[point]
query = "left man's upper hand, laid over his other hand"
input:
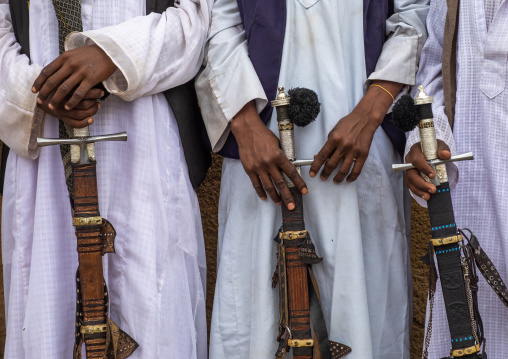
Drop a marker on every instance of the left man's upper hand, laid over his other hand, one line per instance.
(71, 75)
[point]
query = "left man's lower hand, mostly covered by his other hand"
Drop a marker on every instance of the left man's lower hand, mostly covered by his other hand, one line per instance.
(81, 115)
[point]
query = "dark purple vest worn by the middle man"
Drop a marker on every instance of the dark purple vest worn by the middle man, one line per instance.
(265, 25)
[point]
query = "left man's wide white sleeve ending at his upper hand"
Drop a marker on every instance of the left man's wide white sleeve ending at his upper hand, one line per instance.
(154, 52)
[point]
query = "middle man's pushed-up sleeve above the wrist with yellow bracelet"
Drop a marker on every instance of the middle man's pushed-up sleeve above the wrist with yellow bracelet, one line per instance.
(407, 34)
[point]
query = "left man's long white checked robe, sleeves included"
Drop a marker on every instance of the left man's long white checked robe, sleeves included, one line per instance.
(156, 278)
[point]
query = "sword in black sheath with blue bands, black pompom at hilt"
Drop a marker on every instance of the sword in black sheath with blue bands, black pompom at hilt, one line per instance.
(455, 257)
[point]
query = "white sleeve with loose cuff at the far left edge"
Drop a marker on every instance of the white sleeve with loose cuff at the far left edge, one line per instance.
(21, 122)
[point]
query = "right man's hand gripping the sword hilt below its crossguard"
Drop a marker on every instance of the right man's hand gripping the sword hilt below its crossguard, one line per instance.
(414, 180)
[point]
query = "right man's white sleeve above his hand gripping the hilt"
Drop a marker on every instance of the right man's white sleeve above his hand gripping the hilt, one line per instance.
(430, 77)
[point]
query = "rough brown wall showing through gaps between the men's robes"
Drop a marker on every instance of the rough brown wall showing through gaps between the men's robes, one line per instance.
(208, 199)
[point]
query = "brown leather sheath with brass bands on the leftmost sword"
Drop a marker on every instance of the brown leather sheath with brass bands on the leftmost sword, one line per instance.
(88, 224)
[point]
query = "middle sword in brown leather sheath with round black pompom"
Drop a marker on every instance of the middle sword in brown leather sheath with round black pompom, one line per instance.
(299, 303)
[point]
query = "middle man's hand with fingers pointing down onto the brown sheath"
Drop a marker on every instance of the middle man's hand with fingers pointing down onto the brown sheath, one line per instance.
(262, 158)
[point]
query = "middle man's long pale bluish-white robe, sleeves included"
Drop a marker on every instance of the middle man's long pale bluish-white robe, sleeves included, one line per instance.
(359, 228)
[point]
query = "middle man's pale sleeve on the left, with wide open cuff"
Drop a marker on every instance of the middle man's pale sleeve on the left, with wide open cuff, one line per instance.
(228, 80)
